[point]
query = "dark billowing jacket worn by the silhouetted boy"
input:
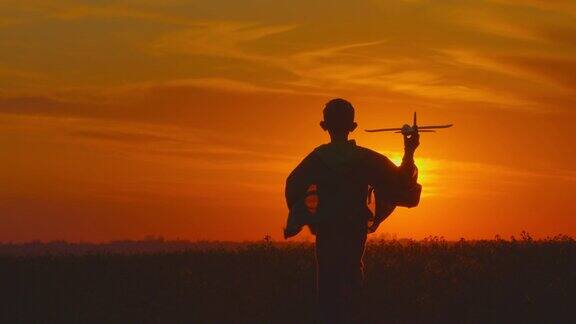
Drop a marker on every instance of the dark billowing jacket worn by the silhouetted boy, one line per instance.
(344, 175)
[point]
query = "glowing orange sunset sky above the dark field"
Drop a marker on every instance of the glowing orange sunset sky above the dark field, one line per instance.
(121, 119)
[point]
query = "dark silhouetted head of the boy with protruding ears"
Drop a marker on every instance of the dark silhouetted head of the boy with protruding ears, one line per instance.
(338, 117)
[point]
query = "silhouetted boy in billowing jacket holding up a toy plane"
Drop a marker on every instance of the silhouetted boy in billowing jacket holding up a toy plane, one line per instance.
(328, 191)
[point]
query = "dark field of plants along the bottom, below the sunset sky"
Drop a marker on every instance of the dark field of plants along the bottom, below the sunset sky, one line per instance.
(432, 281)
